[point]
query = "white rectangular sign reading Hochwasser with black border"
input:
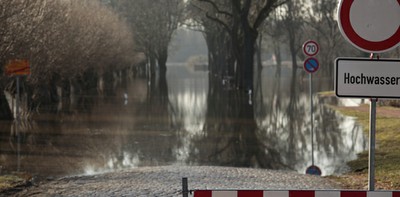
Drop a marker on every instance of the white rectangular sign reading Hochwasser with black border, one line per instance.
(366, 78)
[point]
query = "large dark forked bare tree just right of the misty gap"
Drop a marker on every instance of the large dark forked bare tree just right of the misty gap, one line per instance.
(241, 20)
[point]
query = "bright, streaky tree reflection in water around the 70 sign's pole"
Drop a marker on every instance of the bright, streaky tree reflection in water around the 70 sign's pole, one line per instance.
(285, 125)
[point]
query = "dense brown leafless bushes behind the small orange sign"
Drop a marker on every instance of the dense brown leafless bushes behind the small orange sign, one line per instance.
(68, 43)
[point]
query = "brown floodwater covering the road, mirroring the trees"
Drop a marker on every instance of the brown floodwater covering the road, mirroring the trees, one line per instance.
(187, 121)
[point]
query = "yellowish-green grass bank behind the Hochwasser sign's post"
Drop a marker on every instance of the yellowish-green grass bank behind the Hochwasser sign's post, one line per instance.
(387, 157)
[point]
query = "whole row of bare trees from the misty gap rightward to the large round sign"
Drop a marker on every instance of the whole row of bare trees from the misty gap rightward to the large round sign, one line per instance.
(231, 29)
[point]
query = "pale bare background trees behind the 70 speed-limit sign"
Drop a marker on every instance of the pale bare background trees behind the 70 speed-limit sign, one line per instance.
(301, 20)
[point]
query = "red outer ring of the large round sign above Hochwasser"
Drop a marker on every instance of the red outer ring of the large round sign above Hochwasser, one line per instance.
(349, 32)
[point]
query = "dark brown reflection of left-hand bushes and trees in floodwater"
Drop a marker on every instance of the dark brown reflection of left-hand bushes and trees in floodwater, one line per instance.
(108, 134)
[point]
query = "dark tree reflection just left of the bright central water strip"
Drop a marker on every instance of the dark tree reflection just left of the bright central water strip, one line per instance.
(151, 136)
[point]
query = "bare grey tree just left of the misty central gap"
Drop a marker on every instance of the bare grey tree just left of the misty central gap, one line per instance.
(153, 24)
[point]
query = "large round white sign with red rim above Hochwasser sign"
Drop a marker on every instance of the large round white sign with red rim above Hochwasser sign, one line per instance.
(371, 26)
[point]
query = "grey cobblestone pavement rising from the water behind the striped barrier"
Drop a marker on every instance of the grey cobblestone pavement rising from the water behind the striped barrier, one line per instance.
(167, 181)
